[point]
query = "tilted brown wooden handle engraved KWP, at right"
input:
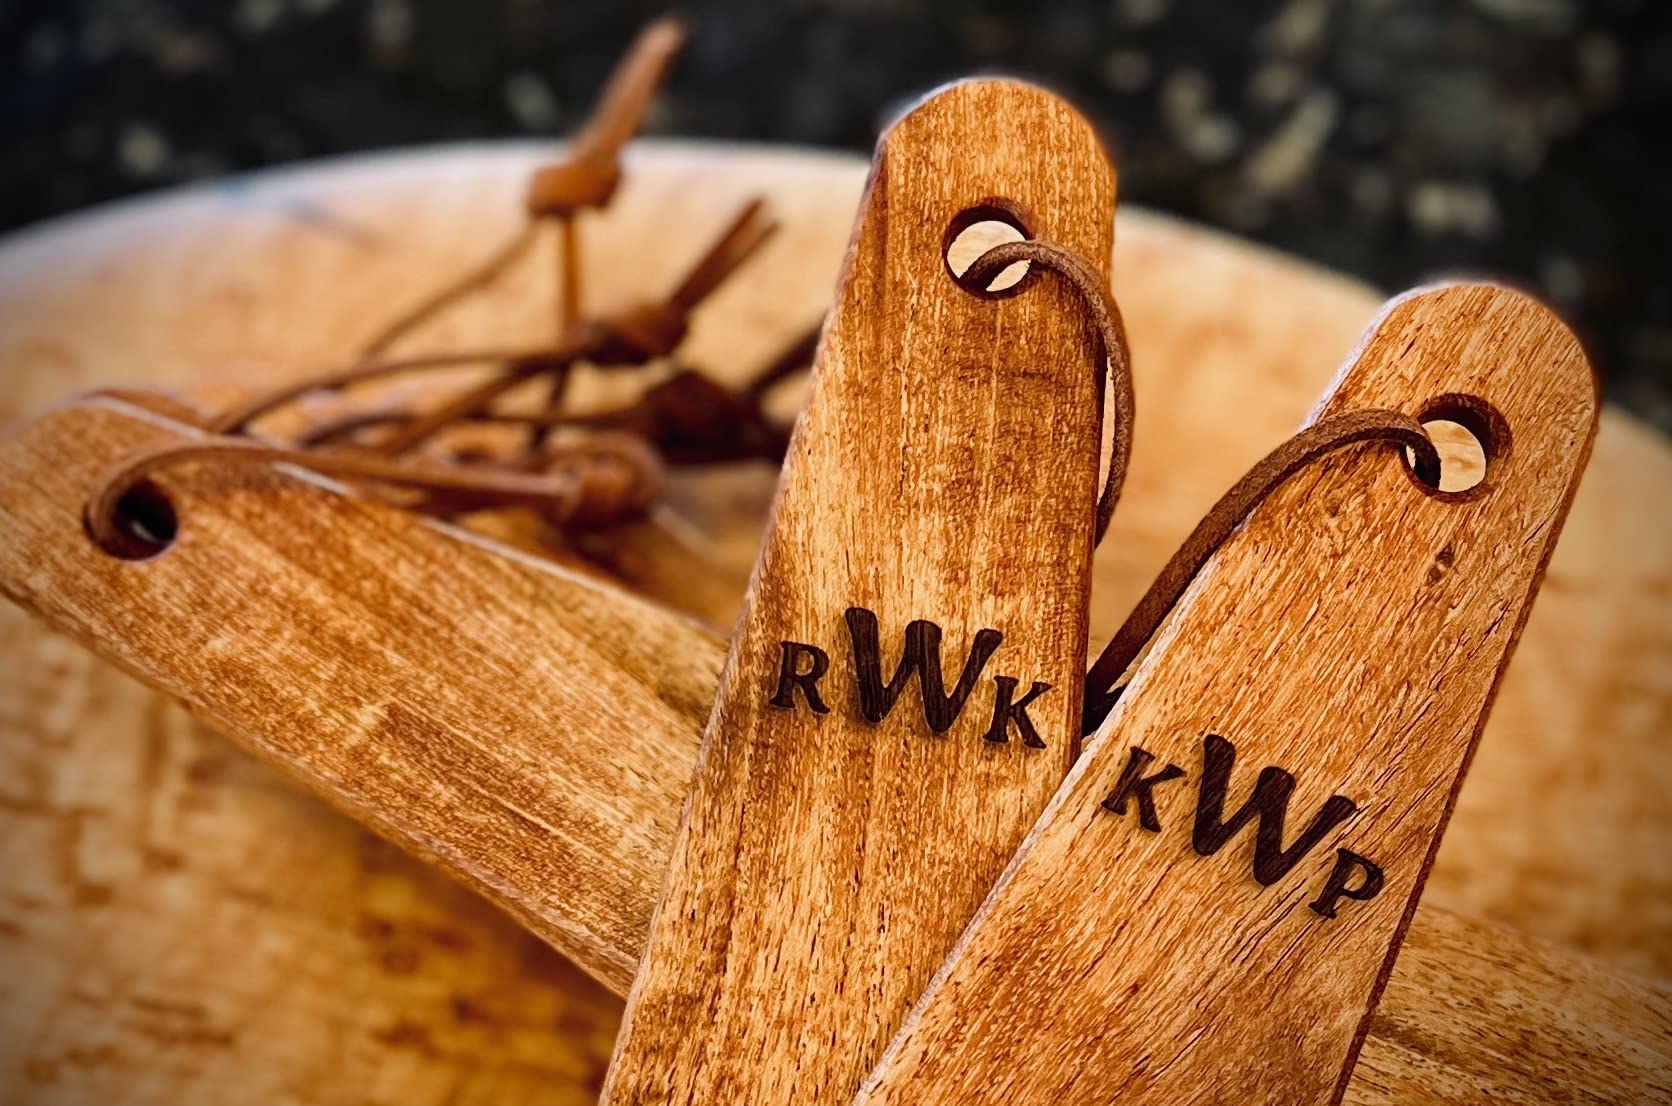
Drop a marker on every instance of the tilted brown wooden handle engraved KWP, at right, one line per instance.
(1348, 638)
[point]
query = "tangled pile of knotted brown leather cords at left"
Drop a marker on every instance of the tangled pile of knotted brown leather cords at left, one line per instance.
(603, 478)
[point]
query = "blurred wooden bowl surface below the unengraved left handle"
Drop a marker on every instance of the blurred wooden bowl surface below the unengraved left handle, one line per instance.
(180, 926)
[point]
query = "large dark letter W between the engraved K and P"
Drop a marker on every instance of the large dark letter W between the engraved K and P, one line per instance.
(1270, 804)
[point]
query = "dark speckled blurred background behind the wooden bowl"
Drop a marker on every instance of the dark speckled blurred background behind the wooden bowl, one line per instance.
(1397, 140)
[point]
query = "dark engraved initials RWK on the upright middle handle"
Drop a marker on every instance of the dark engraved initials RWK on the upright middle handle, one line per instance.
(802, 668)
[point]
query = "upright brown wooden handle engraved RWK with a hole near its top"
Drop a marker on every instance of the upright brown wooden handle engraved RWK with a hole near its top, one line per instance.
(942, 479)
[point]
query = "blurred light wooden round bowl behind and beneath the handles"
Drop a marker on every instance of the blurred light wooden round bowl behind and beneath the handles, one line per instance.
(175, 921)
